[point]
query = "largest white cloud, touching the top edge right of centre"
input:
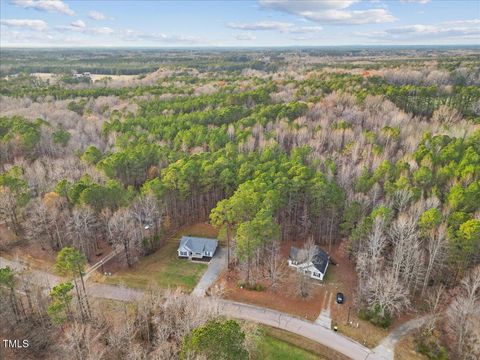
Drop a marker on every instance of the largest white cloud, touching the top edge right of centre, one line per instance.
(330, 11)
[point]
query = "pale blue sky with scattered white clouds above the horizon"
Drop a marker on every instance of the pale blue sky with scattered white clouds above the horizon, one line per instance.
(45, 23)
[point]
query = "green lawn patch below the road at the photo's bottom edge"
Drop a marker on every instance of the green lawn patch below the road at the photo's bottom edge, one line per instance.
(275, 349)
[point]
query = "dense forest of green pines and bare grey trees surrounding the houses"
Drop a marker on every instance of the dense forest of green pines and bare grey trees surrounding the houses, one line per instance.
(268, 147)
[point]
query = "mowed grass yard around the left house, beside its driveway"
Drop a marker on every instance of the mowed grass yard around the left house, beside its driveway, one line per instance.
(164, 269)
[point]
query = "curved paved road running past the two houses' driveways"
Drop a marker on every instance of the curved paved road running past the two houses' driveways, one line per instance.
(315, 332)
